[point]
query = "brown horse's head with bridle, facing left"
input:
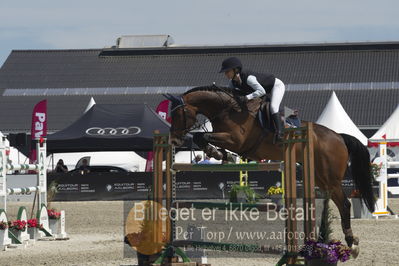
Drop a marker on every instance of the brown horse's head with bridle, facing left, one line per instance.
(183, 118)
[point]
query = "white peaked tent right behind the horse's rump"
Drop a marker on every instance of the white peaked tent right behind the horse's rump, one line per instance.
(334, 117)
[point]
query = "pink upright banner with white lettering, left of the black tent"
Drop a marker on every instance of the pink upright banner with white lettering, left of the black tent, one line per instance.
(39, 126)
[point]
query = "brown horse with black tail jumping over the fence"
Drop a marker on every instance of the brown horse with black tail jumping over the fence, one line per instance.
(235, 129)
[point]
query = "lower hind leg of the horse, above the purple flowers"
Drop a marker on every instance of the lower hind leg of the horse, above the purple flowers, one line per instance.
(344, 207)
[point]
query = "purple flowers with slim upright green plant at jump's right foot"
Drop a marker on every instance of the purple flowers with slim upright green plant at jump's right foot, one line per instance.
(324, 251)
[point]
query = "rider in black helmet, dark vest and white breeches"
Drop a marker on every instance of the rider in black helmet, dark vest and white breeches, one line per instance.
(256, 85)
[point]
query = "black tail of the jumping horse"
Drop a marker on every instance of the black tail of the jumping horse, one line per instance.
(361, 169)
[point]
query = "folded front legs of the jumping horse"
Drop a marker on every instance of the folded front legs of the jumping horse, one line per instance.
(203, 139)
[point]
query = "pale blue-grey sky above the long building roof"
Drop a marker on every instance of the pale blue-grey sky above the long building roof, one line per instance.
(50, 24)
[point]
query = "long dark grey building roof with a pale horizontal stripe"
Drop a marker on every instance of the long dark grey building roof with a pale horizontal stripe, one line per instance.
(364, 76)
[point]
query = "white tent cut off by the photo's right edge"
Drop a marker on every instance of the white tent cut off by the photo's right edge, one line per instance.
(389, 130)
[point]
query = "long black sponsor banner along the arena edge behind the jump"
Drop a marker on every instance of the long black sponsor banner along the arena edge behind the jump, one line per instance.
(137, 185)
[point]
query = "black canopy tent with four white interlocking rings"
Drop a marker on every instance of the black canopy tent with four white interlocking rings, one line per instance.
(109, 127)
